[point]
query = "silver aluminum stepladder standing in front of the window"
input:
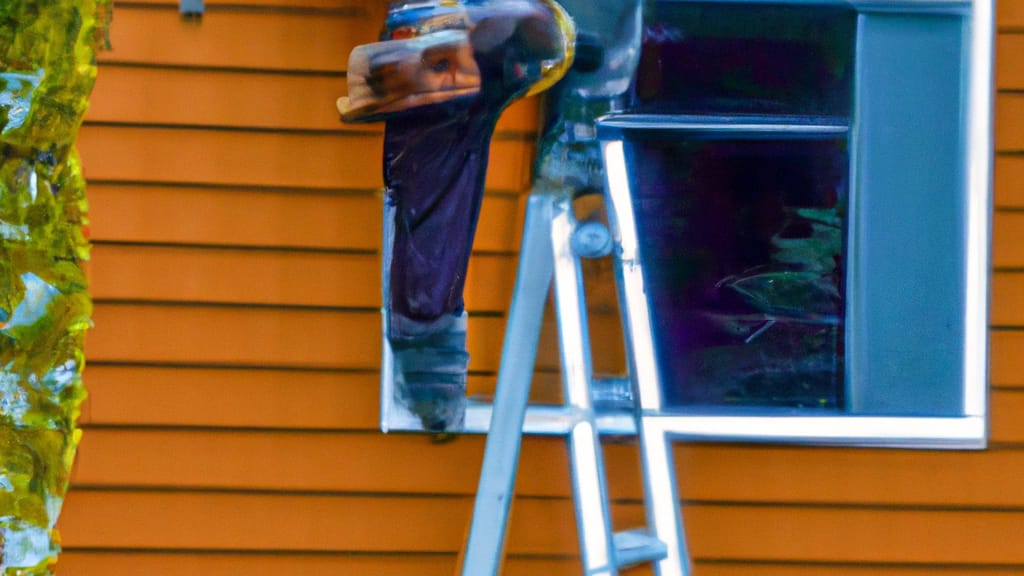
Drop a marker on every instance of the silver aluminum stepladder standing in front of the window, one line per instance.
(552, 248)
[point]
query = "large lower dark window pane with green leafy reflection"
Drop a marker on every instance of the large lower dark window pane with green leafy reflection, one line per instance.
(743, 244)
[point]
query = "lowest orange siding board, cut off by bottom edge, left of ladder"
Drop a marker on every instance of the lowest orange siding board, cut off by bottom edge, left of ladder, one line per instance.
(100, 563)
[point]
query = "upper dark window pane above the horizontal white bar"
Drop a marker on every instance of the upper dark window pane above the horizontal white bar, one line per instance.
(747, 59)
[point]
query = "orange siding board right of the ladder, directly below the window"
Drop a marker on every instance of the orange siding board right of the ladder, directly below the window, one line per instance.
(835, 478)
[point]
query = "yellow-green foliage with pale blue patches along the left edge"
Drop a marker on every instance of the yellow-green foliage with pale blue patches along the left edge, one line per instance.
(49, 53)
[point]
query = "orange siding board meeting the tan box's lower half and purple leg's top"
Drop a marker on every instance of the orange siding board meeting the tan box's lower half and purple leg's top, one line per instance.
(261, 100)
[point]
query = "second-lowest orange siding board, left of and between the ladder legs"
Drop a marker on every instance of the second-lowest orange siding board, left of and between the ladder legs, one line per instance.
(303, 523)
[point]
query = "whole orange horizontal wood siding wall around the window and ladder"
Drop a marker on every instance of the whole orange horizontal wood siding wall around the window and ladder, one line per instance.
(232, 427)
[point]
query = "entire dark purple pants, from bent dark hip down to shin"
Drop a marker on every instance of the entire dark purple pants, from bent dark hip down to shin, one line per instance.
(436, 160)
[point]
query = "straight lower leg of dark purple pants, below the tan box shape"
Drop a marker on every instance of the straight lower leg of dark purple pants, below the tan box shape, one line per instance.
(436, 163)
